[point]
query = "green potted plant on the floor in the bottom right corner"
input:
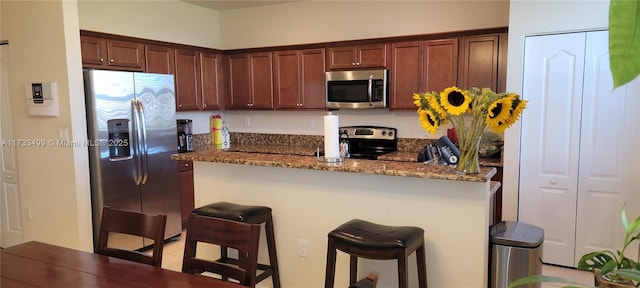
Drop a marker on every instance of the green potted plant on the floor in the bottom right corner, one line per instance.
(612, 269)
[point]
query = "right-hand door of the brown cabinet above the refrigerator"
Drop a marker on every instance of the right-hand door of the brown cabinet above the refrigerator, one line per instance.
(126, 55)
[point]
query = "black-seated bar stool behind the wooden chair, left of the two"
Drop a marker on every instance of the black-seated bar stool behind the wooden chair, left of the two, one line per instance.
(251, 215)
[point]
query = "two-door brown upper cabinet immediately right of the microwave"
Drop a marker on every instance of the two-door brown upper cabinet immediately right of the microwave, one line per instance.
(421, 66)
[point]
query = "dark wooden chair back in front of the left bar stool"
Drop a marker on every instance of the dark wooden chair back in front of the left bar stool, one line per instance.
(234, 234)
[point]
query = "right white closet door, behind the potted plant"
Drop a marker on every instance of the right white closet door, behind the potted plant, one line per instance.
(609, 157)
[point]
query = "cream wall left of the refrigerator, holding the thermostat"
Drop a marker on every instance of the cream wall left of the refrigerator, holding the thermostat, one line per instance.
(53, 180)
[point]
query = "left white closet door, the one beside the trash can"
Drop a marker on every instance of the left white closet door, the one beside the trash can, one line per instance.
(550, 140)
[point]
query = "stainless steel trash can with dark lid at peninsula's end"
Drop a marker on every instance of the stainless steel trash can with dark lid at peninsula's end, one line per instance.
(516, 252)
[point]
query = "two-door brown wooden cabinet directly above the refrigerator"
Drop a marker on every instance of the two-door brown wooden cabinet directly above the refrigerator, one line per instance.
(112, 54)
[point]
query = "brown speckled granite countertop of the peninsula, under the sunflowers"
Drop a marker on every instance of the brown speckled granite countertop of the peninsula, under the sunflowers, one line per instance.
(304, 158)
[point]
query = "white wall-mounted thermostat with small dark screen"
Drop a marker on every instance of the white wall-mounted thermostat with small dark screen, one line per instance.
(42, 99)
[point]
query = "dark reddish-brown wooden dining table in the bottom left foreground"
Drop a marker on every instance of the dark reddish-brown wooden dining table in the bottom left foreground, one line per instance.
(37, 264)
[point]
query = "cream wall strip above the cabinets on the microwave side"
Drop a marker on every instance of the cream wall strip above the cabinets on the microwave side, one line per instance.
(324, 21)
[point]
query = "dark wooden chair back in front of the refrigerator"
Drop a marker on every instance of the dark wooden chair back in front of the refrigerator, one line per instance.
(132, 223)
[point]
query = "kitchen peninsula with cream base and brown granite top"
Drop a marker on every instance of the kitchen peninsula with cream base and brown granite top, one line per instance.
(310, 198)
